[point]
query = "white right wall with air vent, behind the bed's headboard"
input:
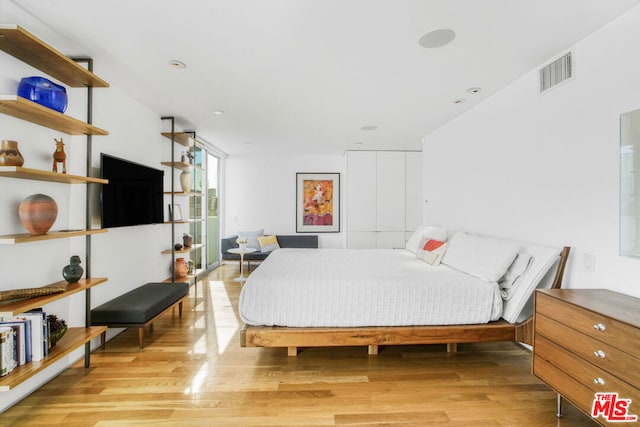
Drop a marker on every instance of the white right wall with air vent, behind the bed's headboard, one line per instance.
(545, 168)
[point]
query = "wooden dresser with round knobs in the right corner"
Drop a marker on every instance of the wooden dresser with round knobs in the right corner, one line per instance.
(587, 341)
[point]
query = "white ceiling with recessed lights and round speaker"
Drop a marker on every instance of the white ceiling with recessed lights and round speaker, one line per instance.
(304, 76)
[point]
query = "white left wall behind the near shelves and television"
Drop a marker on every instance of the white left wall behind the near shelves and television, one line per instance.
(127, 256)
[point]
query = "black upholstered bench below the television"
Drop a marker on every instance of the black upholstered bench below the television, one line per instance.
(139, 307)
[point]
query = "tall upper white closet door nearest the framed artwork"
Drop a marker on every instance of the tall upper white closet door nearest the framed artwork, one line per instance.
(361, 191)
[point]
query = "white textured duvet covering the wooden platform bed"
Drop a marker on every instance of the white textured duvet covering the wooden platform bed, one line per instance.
(363, 287)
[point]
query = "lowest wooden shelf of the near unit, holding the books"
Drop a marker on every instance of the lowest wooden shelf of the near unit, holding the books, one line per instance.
(72, 340)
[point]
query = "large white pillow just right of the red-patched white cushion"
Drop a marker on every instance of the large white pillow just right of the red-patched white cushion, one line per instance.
(483, 257)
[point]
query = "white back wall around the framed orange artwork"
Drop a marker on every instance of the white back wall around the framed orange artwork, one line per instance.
(260, 193)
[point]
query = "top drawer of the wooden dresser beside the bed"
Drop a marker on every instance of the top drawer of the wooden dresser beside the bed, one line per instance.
(612, 332)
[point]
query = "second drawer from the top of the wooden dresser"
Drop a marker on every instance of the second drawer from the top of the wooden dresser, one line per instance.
(594, 351)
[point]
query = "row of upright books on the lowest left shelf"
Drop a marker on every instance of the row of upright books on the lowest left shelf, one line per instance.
(23, 338)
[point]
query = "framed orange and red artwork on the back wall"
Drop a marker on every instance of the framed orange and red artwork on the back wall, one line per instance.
(317, 202)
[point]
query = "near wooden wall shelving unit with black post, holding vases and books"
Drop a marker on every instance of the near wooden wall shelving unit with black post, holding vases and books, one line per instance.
(26, 47)
